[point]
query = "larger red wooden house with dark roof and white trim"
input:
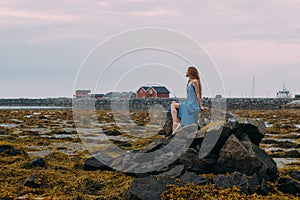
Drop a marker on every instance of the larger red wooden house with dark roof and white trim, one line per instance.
(152, 92)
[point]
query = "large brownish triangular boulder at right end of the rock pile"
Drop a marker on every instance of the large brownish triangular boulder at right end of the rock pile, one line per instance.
(247, 158)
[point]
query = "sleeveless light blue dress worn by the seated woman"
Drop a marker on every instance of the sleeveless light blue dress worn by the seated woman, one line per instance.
(189, 109)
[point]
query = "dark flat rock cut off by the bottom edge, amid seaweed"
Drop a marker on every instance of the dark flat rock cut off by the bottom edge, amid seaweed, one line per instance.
(149, 188)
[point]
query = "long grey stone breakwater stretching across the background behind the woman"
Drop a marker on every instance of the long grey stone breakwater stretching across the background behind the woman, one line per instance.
(143, 104)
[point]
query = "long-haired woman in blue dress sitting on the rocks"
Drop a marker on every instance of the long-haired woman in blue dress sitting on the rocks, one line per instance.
(184, 113)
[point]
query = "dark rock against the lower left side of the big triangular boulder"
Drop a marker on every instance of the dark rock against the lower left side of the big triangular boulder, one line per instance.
(190, 159)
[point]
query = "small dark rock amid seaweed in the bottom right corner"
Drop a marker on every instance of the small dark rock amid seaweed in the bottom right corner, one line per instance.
(287, 185)
